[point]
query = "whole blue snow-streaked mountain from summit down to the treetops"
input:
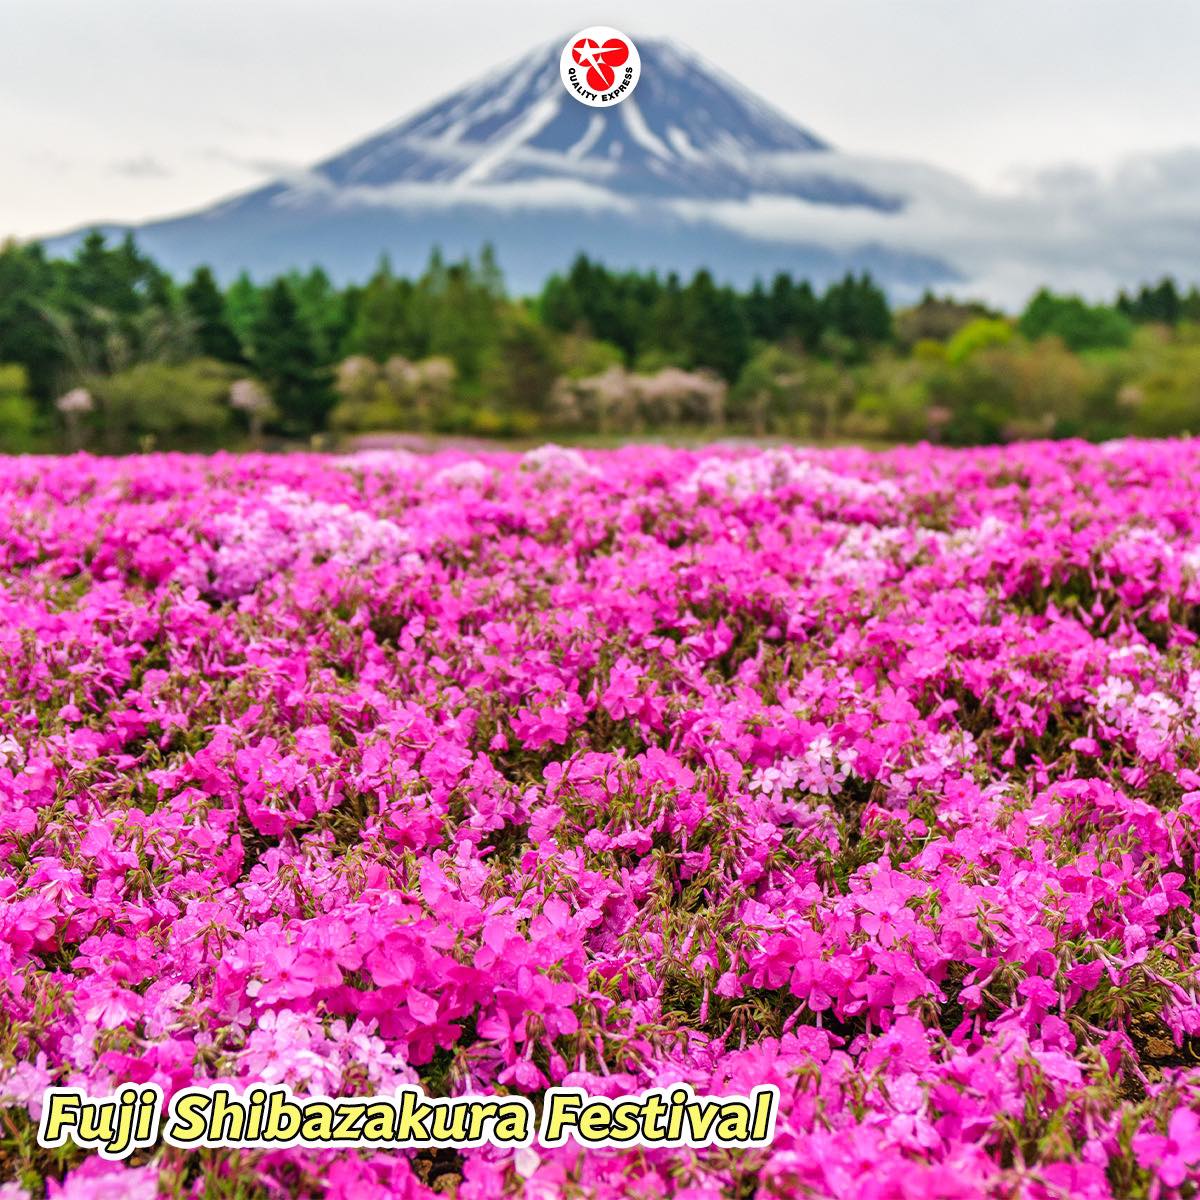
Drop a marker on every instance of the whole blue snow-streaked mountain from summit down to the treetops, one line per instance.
(691, 171)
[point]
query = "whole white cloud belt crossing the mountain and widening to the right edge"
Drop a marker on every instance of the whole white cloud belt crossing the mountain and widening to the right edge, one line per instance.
(1076, 229)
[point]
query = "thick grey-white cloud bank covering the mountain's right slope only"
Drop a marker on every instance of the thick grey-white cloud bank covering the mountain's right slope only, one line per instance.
(1078, 229)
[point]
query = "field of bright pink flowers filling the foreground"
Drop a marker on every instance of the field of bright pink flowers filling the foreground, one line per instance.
(872, 777)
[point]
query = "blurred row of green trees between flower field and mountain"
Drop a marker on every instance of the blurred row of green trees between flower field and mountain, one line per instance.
(106, 351)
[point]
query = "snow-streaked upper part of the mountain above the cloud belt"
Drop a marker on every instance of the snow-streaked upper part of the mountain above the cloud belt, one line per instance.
(686, 133)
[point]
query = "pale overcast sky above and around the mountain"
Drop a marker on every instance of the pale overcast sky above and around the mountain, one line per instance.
(123, 110)
